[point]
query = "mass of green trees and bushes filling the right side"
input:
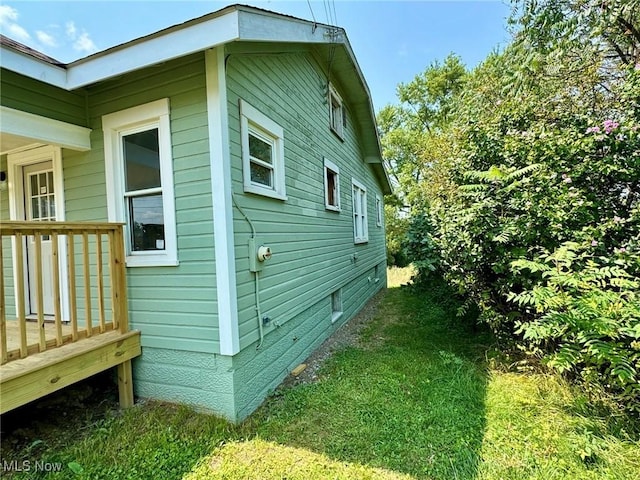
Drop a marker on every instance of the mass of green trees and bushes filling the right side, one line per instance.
(536, 150)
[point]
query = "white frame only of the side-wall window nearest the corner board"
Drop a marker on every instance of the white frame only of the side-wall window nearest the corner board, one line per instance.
(256, 123)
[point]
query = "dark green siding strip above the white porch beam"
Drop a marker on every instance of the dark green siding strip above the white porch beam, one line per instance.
(29, 95)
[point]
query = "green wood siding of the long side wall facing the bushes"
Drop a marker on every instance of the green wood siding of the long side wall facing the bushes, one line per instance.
(313, 248)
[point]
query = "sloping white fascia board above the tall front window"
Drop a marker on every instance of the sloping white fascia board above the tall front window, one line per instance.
(154, 50)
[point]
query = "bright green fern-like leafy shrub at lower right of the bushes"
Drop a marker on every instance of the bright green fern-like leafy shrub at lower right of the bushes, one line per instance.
(589, 311)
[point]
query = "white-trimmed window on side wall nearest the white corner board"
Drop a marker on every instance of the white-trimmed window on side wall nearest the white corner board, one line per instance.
(262, 153)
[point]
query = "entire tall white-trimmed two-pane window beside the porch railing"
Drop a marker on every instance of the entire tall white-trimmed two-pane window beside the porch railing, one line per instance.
(139, 171)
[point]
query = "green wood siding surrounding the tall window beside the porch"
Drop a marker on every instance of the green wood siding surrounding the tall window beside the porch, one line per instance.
(174, 307)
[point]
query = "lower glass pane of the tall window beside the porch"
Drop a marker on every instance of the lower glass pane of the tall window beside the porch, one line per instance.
(146, 218)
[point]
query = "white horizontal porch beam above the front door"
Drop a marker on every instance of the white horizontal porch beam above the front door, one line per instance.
(44, 130)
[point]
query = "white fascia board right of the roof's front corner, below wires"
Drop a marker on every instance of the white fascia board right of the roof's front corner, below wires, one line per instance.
(260, 26)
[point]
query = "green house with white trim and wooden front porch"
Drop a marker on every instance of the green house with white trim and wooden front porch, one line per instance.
(240, 153)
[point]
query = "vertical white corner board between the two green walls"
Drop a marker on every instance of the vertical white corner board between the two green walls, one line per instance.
(221, 188)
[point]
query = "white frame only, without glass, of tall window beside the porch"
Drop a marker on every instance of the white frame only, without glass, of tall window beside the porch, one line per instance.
(114, 126)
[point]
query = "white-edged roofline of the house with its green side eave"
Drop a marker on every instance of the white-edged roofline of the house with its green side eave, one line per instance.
(233, 24)
